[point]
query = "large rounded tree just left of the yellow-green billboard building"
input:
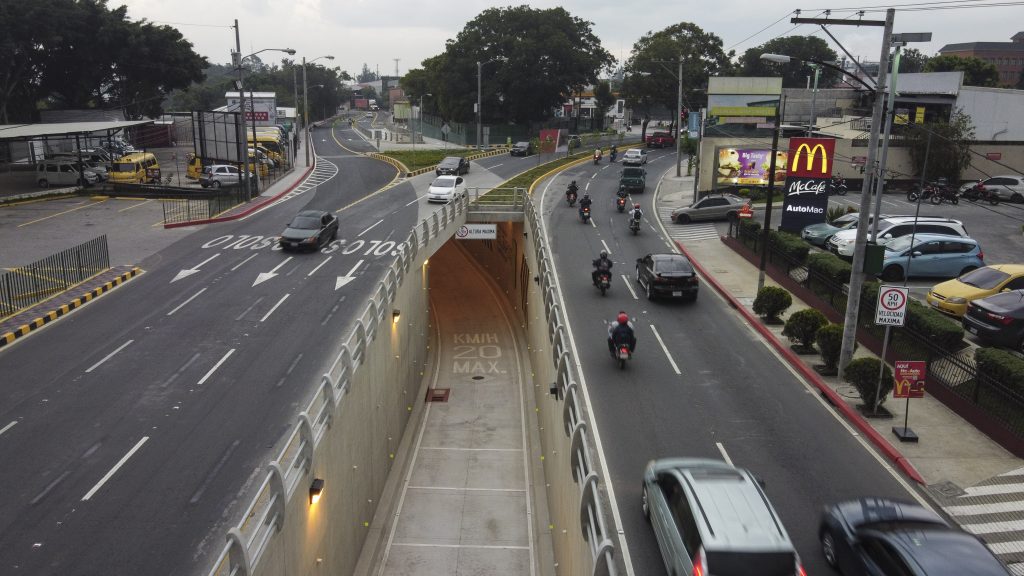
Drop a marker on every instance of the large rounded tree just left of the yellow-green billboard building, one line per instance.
(648, 85)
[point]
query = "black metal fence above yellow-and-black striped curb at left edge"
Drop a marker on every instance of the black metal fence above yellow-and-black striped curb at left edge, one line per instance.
(25, 286)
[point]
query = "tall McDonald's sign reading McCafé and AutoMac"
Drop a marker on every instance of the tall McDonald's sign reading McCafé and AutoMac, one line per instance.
(806, 189)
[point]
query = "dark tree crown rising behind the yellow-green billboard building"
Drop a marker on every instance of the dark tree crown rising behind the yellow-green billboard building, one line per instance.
(795, 74)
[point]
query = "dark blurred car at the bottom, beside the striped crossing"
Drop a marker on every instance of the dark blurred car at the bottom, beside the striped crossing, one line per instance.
(881, 537)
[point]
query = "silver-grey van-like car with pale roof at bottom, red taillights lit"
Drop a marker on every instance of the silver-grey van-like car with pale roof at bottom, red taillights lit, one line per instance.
(711, 518)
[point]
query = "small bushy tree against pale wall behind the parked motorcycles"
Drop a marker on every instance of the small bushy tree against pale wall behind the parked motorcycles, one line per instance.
(950, 152)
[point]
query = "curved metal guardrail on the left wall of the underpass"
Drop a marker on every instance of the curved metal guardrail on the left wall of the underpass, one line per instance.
(265, 516)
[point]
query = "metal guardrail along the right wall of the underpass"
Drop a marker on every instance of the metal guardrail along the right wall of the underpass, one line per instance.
(592, 508)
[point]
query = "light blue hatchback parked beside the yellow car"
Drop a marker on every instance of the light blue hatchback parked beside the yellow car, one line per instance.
(934, 256)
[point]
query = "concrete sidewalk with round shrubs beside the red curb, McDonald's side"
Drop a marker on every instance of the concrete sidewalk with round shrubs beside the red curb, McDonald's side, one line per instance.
(974, 479)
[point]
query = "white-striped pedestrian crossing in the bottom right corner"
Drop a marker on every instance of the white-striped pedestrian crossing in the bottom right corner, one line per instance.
(994, 511)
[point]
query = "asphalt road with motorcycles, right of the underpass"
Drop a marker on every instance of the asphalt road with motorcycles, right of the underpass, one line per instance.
(702, 384)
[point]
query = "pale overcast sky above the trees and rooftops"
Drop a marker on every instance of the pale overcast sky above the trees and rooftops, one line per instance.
(376, 33)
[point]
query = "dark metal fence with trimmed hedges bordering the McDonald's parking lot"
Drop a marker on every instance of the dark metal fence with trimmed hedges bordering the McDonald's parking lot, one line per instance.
(953, 368)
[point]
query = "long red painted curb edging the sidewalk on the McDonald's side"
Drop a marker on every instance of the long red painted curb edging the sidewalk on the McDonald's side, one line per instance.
(881, 443)
